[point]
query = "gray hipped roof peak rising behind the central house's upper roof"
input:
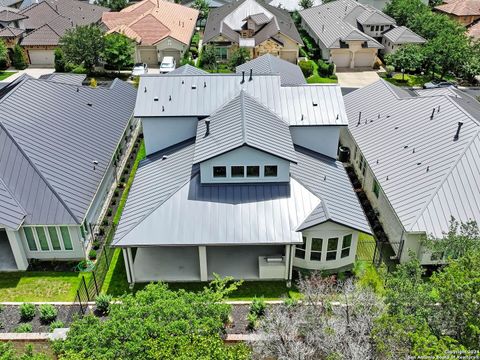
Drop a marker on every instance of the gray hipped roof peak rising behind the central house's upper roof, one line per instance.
(290, 74)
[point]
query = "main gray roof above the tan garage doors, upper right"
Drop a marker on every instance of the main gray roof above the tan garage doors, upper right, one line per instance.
(331, 23)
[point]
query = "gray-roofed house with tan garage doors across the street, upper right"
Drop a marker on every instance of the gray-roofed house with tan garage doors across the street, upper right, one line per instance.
(350, 34)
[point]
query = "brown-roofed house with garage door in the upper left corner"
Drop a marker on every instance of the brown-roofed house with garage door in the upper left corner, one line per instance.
(46, 21)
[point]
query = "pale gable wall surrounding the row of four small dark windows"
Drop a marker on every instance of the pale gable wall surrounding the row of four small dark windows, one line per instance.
(245, 156)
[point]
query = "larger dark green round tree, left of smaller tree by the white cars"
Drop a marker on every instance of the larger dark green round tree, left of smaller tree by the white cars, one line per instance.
(83, 45)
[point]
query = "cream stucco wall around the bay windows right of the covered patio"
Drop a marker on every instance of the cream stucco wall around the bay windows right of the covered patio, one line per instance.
(325, 231)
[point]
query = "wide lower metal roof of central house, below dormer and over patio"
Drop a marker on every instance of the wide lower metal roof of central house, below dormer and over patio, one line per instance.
(167, 198)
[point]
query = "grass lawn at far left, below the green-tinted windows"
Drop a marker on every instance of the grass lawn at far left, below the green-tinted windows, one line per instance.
(38, 286)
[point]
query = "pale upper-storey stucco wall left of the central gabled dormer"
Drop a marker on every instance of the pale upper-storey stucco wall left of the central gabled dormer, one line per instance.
(160, 133)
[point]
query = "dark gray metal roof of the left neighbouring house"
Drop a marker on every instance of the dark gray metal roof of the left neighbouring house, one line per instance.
(54, 138)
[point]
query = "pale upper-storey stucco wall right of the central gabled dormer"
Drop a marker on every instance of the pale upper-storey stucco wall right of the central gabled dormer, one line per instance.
(322, 139)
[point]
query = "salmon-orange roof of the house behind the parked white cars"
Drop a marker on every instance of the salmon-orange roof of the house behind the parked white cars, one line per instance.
(150, 21)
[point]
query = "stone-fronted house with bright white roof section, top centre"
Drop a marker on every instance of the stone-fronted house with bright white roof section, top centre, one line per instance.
(253, 25)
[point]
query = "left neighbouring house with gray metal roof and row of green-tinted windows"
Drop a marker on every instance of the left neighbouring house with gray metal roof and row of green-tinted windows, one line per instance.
(58, 153)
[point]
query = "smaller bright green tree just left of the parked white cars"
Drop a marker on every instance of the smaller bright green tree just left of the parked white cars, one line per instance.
(118, 51)
